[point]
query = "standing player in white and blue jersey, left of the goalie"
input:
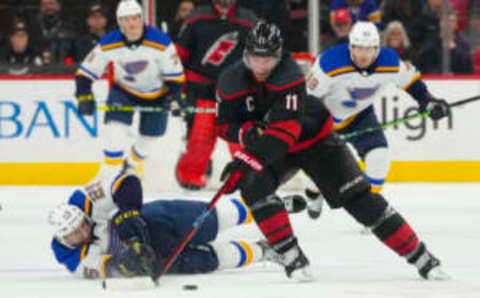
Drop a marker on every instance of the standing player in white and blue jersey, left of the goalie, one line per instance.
(146, 70)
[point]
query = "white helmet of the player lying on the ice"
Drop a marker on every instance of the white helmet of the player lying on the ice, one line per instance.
(64, 220)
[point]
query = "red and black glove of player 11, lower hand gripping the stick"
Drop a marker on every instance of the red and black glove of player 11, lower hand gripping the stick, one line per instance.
(242, 165)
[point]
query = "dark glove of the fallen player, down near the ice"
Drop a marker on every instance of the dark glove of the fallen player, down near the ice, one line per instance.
(132, 259)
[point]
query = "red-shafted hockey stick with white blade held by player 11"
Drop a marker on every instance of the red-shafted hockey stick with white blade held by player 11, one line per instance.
(143, 282)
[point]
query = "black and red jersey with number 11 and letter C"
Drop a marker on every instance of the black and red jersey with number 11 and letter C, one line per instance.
(292, 120)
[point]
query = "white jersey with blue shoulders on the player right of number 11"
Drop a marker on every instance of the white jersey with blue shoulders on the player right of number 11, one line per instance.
(346, 90)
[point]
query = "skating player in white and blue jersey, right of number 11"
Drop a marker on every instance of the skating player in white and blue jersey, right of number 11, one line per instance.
(348, 78)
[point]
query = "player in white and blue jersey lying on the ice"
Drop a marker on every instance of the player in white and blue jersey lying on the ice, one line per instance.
(111, 233)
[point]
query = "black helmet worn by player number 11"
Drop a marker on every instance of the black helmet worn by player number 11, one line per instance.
(264, 39)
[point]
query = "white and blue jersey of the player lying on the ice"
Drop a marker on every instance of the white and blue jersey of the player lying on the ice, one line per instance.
(89, 260)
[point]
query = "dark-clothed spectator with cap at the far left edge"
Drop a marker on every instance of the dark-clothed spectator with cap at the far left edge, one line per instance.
(19, 56)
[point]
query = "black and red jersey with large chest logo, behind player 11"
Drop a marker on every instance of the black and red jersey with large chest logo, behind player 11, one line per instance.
(208, 42)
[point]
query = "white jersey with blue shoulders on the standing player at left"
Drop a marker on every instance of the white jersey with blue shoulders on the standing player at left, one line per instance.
(140, 69)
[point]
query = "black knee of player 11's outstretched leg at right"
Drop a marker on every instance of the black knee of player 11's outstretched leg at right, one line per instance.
(367, 208)
